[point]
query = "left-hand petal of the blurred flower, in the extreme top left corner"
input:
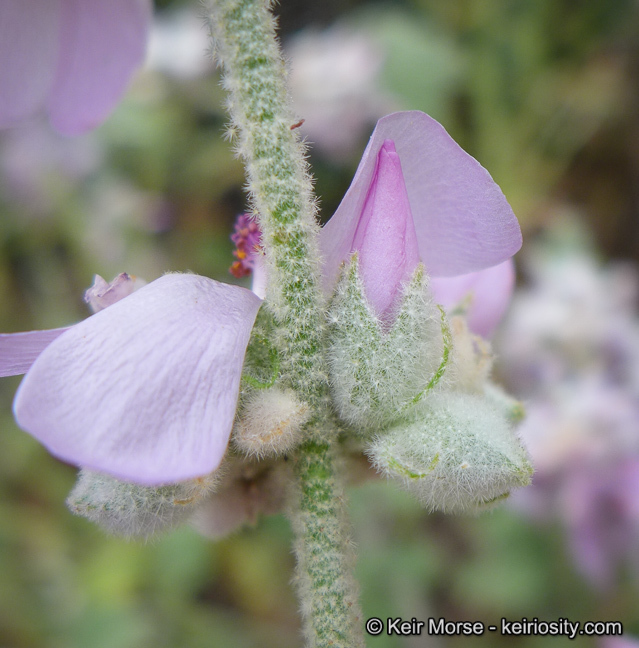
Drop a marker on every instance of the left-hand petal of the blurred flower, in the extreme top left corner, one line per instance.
(29, 39)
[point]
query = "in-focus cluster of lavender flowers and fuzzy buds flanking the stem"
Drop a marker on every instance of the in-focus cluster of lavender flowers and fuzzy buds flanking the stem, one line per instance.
(143, 395)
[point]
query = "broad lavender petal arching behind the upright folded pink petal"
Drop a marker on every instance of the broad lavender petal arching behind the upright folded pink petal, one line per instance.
(462, 219)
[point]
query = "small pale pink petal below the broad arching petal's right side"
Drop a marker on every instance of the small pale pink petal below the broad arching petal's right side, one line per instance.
(485, 295)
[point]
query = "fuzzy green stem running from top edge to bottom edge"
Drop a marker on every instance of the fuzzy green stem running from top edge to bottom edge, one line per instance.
(281, 191)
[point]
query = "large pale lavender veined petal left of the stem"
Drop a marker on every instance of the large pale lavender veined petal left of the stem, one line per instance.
(146, 389)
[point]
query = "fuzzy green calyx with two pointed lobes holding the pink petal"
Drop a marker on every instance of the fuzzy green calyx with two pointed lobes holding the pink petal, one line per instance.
(378, 371)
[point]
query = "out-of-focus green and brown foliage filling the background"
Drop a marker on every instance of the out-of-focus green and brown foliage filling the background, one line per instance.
(543, 92)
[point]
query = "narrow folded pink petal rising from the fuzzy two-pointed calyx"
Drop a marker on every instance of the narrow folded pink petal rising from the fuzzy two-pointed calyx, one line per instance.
(385, 235)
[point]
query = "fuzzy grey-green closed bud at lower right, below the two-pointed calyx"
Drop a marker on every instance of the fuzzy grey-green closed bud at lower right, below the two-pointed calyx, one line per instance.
(459, 454)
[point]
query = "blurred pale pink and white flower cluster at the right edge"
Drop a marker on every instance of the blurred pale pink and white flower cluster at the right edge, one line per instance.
(570, 349)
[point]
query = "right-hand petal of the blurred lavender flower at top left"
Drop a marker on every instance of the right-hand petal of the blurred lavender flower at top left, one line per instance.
(102, 43)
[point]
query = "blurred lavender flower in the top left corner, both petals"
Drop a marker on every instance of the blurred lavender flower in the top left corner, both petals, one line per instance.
(72, 58)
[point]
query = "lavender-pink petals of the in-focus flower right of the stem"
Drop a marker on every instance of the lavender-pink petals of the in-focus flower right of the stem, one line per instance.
(417, 196)
